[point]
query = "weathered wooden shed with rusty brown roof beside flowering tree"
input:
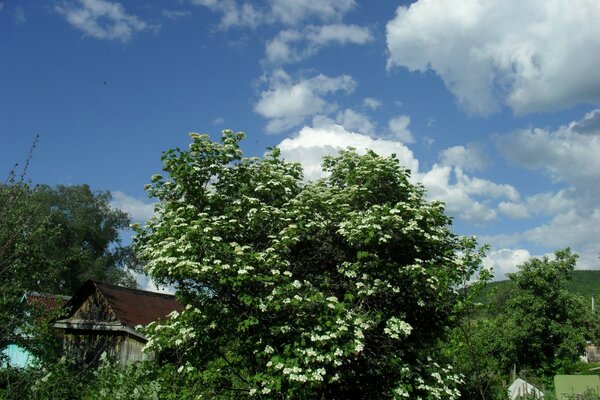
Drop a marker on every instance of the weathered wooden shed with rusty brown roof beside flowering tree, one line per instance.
(102, 318)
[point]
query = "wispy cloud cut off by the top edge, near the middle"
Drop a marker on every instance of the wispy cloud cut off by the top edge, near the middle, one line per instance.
(288, 12)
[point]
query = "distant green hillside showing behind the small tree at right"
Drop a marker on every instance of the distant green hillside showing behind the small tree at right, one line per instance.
(584, 283)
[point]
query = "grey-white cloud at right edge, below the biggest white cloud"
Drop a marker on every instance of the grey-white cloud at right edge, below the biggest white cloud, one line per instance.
(568, 154)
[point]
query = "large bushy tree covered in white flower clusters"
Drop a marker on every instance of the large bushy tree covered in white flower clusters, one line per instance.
(339, 288)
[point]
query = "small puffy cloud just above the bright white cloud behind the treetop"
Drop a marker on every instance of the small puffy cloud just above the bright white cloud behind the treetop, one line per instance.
(288, 103)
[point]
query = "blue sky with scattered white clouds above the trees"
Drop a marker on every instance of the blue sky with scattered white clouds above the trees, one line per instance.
(492, 104)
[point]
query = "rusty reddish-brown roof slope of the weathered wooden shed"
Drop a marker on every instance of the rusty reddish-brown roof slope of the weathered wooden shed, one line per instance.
(138, 307)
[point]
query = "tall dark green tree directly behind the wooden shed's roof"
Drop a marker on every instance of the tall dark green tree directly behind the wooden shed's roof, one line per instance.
(86, 244)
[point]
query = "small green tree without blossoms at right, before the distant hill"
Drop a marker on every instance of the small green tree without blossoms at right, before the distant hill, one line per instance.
(543, 327)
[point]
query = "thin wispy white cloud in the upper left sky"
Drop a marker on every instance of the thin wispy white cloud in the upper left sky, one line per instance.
(102, 19)
